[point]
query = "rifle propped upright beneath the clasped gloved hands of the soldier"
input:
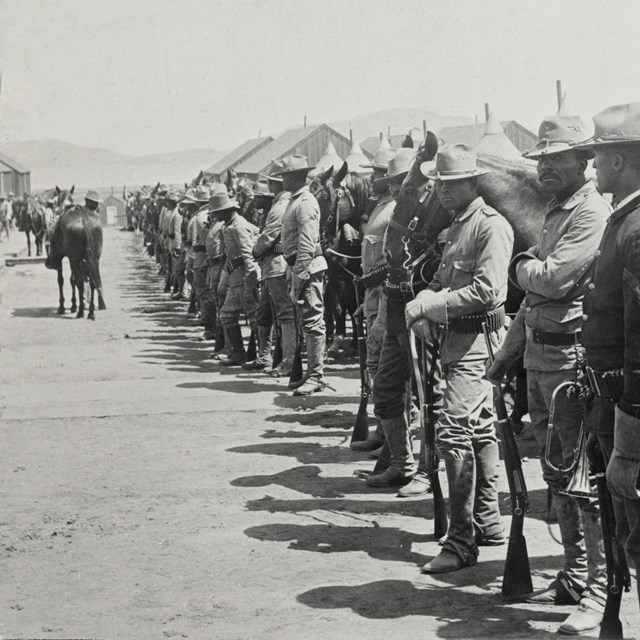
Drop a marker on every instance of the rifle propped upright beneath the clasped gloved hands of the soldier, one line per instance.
(424, 385)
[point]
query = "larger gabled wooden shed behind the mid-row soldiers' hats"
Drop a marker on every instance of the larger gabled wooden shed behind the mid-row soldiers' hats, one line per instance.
(307, 141)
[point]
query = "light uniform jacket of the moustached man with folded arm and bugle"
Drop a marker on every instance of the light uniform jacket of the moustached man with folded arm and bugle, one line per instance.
(556, 273)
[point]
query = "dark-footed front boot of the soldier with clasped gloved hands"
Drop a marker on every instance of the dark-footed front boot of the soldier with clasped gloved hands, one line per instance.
(459, 549)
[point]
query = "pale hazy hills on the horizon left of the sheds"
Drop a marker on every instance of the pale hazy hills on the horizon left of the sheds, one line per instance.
(56, 162)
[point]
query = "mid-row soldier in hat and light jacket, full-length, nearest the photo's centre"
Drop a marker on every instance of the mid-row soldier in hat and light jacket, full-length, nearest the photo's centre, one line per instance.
(302, 251)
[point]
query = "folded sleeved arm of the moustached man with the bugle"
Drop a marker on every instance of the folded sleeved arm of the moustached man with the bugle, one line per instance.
(570, 258)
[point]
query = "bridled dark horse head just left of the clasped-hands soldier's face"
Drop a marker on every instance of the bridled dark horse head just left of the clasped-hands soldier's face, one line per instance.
(417, 220)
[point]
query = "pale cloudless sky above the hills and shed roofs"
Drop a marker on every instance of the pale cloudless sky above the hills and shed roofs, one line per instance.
(151, 76)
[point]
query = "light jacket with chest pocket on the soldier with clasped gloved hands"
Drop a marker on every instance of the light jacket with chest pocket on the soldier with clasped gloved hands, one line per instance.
(472, 277)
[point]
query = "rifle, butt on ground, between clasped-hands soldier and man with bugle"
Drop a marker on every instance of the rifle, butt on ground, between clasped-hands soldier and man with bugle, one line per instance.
(516, 580)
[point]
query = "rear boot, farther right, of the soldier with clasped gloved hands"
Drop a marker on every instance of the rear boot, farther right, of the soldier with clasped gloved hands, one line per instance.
(486, 509)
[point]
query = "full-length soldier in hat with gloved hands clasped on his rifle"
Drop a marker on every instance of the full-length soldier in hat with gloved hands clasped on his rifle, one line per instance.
(468, 289)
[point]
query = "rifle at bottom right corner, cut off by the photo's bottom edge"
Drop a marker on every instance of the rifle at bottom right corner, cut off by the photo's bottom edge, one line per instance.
(617, 570)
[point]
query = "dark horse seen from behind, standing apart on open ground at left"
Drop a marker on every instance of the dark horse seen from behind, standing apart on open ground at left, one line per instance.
(77, 236)
